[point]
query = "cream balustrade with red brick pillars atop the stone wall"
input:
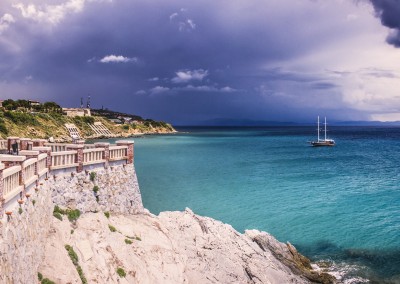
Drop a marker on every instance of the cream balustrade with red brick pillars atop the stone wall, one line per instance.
(19, 173)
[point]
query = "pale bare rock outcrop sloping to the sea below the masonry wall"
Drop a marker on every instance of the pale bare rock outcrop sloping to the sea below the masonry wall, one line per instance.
(174, 247)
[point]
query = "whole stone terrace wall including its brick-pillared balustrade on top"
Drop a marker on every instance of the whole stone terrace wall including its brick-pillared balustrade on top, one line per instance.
(28, 215)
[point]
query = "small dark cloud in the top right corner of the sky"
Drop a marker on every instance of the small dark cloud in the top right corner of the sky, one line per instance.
(389, 13)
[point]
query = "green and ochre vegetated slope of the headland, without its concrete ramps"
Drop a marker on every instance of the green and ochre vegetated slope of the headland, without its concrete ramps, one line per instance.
(42, 122)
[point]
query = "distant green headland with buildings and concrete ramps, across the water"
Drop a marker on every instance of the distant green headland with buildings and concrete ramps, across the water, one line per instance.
(49, 120)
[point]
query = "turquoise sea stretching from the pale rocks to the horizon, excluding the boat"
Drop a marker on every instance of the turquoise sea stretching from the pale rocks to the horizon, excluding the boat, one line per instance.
(338, 204)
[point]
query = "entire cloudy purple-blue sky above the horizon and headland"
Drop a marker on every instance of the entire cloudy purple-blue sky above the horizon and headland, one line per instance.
(202, 61)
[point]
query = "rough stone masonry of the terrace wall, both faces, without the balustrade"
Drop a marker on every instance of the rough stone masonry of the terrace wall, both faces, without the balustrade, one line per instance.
(22, 235)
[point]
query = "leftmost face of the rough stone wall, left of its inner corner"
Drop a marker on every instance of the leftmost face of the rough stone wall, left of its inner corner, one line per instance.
(23, 236)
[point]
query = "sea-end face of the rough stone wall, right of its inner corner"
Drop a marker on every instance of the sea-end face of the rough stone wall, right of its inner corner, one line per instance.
(118, 190)
